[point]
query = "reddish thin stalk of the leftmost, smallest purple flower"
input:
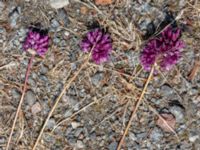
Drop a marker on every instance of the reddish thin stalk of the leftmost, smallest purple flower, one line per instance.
(21, 100)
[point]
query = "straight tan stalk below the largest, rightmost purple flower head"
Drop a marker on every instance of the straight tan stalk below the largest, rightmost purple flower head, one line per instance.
(136, 108)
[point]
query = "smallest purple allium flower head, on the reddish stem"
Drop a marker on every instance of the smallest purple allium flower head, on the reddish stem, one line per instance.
(37, 41)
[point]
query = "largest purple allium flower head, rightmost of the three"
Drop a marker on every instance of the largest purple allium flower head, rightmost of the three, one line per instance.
(163, 50)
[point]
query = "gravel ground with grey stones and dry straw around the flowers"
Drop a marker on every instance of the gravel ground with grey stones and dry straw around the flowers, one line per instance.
(95, 109)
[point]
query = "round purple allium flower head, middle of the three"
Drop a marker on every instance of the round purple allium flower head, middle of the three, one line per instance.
(100, 43)
